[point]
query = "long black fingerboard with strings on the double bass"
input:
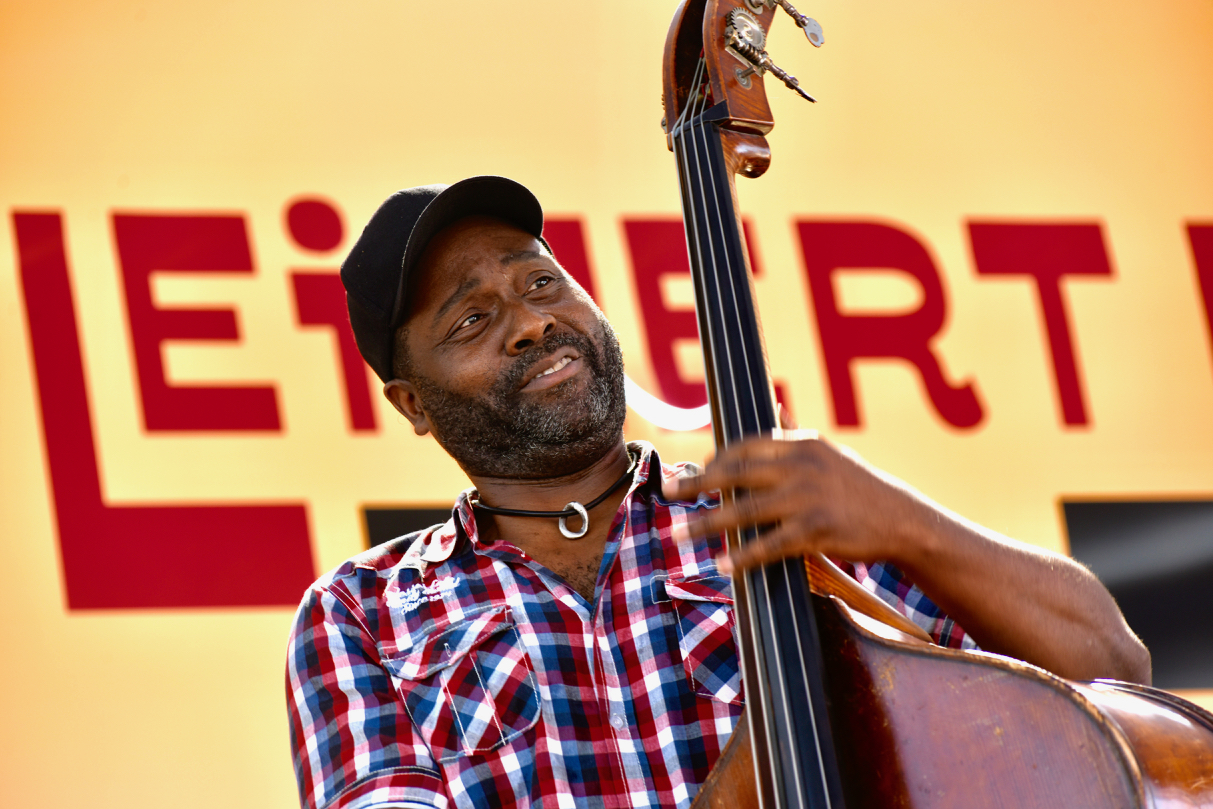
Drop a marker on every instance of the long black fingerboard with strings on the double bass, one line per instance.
(777, 628)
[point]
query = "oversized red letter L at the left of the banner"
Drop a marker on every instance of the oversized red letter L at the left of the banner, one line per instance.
(124, 557)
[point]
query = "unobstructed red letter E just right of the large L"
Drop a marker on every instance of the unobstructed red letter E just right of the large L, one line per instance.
(198, 244)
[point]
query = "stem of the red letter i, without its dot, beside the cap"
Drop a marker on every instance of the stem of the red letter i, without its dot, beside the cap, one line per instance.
(321, 301)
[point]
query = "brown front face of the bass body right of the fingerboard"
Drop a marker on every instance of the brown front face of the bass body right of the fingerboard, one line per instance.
(933, 728)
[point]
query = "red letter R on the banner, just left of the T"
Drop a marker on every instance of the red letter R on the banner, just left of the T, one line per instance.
(832, 247)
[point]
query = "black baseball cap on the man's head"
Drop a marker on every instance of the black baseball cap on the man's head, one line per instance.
(377, 274)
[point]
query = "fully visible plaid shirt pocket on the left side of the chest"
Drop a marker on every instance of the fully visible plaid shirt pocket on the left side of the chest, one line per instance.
(469, 687)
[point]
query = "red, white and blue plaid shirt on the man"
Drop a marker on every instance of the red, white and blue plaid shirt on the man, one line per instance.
(440, 671)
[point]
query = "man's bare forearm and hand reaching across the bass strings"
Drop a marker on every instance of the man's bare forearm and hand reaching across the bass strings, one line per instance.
(1012, 599)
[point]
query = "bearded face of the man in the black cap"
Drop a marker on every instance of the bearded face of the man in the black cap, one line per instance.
(514, 368)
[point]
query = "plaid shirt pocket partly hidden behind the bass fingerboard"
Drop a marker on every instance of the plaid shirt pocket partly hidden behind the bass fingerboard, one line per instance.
(707, 636)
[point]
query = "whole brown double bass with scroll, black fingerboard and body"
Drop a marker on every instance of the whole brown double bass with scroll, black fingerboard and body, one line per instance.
(848, 704)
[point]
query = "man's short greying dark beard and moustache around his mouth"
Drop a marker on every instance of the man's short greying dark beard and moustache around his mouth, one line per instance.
(506, 434)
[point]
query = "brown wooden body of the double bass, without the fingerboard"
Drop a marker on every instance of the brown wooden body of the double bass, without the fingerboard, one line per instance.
(931, 728)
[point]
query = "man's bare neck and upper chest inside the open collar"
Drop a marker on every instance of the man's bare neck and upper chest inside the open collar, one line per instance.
(540, 537)
